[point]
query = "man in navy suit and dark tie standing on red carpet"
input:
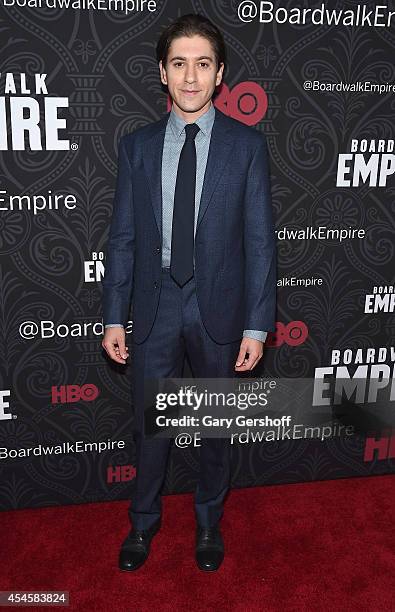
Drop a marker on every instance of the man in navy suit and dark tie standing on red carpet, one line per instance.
(192, 247)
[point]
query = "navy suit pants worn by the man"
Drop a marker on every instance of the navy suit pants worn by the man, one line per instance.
(178, 330)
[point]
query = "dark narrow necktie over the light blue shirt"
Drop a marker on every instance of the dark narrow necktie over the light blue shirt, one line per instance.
(182, 235)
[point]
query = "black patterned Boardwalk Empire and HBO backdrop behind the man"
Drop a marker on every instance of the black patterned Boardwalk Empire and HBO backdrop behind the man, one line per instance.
(318, 79)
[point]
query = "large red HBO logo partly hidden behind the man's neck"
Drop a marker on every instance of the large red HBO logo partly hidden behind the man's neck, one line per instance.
(247, 102)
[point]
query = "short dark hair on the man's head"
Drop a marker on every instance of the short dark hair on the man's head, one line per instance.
(189, 25)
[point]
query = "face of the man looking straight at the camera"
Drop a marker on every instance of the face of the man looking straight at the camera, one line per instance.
(191, 75)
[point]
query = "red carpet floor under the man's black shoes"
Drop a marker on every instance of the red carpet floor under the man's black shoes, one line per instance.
(312, 546)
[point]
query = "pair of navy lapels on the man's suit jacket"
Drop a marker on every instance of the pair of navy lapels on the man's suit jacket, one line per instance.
(219, 151)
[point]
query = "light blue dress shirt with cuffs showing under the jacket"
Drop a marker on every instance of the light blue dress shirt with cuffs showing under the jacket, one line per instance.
(173, 143)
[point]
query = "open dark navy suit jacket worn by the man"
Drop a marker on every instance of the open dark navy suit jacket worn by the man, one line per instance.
(235, 246)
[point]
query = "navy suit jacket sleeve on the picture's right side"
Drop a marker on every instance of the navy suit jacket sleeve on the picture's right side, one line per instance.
(259, 244)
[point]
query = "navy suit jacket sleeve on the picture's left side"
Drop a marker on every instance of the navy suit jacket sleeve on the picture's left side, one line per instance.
(119, 261)
